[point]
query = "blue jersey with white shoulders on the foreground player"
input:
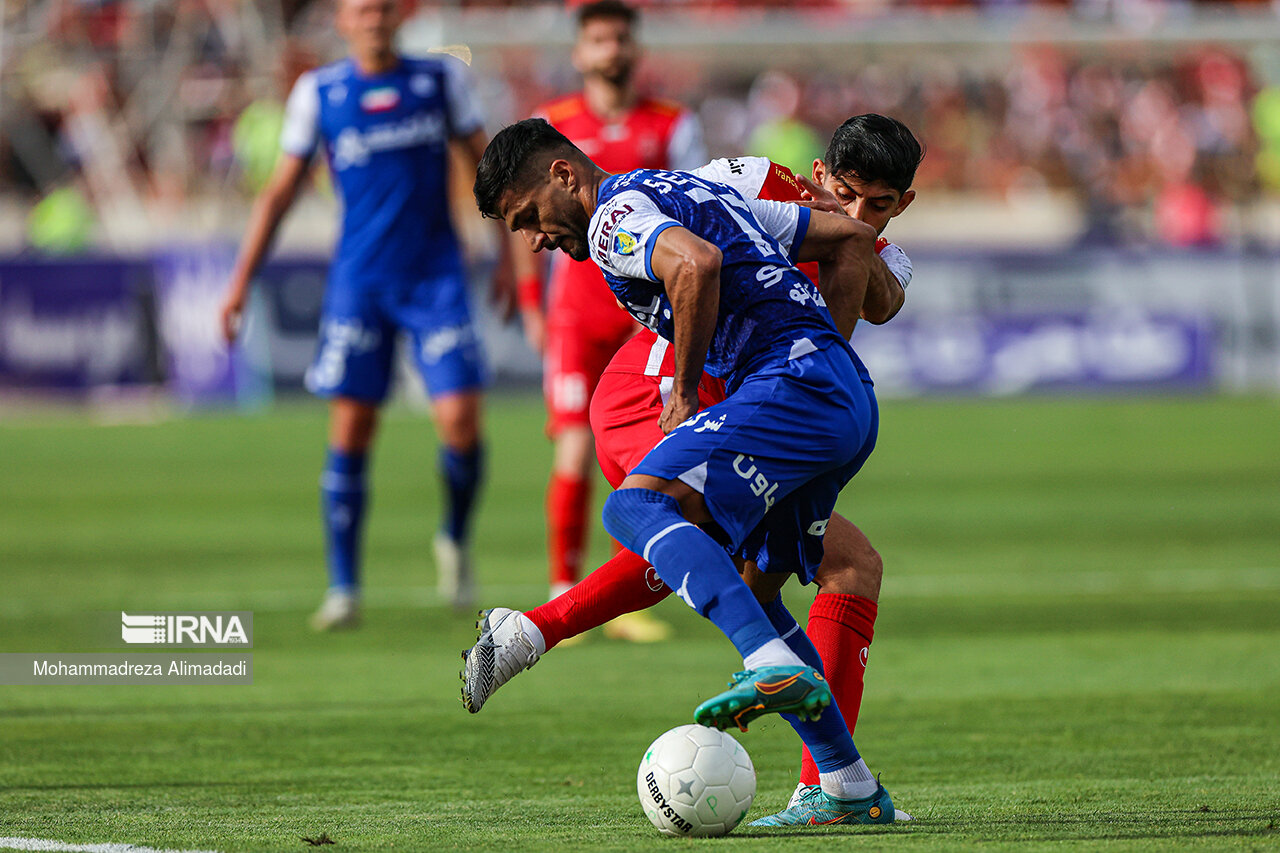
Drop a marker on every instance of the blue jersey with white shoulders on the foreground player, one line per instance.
(769, 311)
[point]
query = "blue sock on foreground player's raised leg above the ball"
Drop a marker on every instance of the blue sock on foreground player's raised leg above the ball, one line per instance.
(689, 562)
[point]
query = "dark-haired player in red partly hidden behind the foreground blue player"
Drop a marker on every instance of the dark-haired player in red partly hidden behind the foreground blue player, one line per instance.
(633, 391)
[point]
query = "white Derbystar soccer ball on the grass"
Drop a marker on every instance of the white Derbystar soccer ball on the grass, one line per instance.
(696, 782)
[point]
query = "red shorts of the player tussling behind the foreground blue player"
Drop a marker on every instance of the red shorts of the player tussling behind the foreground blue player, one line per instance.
(625, 413)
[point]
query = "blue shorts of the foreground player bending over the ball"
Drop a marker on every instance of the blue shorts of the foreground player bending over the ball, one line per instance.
(771, 459)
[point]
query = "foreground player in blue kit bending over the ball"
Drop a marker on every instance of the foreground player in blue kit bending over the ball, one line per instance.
(758, 475)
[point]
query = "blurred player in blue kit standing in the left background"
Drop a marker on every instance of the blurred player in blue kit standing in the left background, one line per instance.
(387, 125)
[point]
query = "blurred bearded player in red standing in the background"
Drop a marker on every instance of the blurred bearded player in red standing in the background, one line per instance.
(582, 326)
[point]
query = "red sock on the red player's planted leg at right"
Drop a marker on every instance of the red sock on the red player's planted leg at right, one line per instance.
(842, 630)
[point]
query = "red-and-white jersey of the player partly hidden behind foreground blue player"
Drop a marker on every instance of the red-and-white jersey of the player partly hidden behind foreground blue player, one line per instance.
(753, 177)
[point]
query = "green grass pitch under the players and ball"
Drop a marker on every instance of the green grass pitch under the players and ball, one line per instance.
(1078, 645)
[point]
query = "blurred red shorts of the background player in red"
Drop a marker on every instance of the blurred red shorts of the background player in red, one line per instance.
(574, 366)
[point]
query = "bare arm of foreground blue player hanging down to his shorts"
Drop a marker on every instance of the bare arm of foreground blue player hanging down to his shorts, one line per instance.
(689, 268)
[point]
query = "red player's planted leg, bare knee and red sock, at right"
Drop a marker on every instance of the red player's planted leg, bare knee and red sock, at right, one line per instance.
(843, 619)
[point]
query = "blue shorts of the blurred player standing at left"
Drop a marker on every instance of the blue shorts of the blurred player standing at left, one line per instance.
(355, 357)
